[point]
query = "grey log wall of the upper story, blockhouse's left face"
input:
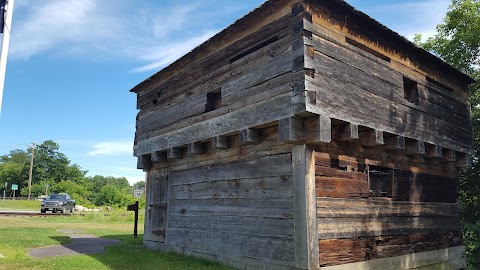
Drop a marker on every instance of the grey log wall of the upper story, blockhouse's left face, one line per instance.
(251, 73)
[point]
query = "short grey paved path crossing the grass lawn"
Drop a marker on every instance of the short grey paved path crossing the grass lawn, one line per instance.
(81, 244)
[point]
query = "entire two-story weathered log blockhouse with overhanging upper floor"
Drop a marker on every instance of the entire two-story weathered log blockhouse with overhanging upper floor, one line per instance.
(306, 135)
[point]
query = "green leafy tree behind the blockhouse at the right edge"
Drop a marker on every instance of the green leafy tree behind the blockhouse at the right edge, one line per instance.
(458, 42)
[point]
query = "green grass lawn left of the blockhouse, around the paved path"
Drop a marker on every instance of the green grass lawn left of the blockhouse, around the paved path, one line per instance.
(17, 234)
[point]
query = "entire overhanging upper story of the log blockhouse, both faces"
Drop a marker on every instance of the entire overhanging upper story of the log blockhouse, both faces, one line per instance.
(321, 71)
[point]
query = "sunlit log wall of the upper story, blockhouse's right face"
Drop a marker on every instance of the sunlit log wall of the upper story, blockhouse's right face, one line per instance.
(352, 78)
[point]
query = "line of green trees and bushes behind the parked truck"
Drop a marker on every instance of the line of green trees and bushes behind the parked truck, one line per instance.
(53, 172)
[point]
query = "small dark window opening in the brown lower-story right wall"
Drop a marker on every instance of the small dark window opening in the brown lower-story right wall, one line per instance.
(380, 181)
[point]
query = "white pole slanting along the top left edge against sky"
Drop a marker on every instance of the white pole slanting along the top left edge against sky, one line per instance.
(6, 19)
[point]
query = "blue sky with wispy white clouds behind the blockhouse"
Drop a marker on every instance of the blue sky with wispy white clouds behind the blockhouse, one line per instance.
(72, 63)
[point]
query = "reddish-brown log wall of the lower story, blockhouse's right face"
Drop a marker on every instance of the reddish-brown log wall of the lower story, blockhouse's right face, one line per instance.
(421, 215)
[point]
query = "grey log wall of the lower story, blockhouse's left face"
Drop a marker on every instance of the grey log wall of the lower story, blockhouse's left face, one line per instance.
(231, 205)
